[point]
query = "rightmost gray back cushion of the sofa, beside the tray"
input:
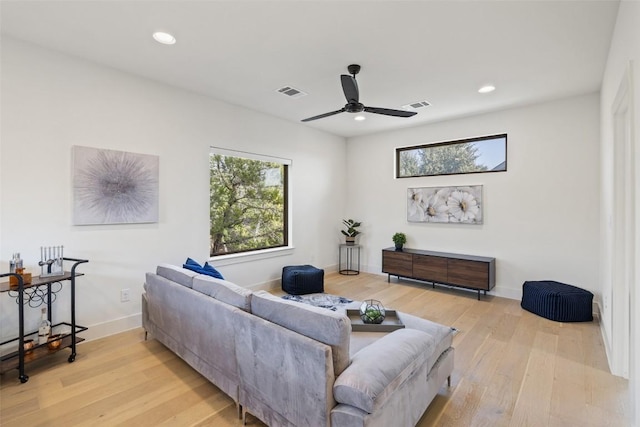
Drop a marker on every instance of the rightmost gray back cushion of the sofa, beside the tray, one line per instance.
(320, 324)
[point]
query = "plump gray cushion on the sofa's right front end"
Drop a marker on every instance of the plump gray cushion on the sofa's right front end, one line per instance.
(381, 368)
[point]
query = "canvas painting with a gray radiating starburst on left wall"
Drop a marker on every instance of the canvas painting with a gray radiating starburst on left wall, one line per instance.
(114, 187)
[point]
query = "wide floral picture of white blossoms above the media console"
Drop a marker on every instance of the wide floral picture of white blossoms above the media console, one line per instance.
(461, 205)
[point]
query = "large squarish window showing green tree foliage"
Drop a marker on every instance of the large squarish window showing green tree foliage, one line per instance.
(248, 202)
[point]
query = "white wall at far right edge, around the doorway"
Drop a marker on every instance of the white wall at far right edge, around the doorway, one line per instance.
(625, 49)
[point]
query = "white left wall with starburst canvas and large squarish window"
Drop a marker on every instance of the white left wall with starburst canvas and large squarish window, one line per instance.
(51, 102)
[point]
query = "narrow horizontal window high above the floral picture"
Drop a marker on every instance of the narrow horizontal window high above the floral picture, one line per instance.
(483, 154)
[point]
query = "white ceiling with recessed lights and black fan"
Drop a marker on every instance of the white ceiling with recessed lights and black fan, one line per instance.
(241, 52)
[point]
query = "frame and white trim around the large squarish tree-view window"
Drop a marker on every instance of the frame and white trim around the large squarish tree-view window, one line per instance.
(267, 252)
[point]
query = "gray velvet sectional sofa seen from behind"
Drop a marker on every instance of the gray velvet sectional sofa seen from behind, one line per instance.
(292, 364)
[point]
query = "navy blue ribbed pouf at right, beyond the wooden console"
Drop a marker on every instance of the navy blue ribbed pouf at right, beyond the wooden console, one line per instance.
(557, 301)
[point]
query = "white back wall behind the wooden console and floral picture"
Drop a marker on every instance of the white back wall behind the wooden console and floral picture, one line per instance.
(540, 217)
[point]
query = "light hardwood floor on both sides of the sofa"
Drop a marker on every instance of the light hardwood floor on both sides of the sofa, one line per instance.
(512, 368)
